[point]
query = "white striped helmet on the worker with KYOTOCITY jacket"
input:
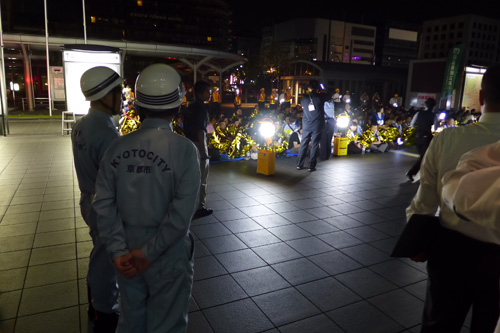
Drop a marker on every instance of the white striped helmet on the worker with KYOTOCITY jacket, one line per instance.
(159, 87)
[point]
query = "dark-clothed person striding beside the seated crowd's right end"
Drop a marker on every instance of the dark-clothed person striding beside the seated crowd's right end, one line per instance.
(423, 121)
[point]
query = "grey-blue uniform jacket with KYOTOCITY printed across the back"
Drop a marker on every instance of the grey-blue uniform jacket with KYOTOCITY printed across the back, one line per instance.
(148, 180)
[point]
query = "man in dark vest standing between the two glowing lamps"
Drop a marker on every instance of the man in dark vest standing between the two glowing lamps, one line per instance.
(313, 122)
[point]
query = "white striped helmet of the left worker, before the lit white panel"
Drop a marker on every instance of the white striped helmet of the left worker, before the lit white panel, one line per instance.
(97, 82)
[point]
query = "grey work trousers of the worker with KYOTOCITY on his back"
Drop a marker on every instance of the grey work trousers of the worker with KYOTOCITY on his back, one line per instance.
(157, 299)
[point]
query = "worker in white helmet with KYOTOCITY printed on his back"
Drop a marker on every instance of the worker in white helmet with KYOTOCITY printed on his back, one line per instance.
(147, 192)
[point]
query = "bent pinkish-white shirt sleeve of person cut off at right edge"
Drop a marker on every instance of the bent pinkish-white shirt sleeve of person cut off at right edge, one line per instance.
(473, 188)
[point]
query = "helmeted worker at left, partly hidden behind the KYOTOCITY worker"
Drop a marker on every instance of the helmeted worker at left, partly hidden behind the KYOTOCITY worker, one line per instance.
(91, 135)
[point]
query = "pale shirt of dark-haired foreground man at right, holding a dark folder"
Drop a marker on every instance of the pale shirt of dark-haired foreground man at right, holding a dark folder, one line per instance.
(443, 155)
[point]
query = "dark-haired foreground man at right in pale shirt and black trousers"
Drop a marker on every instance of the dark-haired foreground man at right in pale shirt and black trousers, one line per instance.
(463, 270)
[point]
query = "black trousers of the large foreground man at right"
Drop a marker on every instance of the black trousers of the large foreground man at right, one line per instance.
(463, 272)
